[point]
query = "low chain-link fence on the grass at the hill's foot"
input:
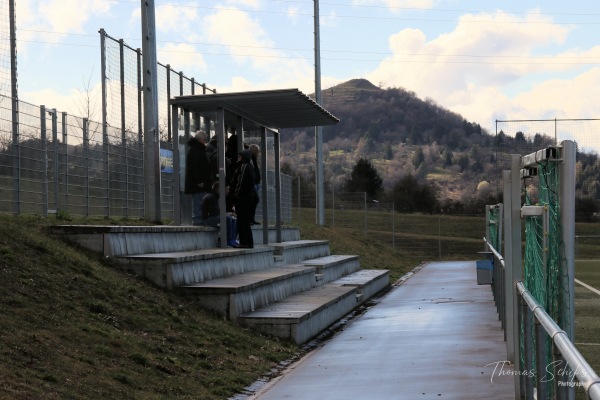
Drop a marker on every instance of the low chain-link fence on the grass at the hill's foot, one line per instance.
(423, 236)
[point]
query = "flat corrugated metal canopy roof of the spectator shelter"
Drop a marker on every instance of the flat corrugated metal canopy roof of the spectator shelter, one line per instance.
(284, 108)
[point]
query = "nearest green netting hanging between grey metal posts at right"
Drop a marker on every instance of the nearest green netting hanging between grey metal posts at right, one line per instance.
(543, 258)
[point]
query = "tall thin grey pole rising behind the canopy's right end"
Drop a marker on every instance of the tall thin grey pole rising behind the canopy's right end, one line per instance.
(318, 130)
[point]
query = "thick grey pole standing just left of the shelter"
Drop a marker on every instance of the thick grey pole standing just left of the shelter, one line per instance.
(152, 205)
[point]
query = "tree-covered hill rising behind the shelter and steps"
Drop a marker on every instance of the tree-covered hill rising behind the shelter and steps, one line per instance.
(451, 164)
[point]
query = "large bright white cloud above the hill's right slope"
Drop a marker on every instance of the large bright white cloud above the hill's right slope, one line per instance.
(470, 69)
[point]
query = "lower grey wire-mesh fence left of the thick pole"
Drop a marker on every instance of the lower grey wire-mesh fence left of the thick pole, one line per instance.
(65, 164)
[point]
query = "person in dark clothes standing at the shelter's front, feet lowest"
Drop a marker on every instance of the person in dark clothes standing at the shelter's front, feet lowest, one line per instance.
(245, 196)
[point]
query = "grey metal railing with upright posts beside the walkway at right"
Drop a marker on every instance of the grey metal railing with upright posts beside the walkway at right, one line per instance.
(529, 329)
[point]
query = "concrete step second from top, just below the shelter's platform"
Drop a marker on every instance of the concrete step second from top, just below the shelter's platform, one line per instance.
(171, 270)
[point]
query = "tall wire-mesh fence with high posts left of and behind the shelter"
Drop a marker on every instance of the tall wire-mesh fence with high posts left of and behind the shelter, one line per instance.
(52, 162)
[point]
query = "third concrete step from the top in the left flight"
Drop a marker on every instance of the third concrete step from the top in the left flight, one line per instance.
(246, 292)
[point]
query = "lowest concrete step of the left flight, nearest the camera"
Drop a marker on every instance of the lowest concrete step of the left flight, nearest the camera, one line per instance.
(302, 316)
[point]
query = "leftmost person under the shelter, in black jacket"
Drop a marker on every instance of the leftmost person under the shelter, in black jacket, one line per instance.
(197, 174)
